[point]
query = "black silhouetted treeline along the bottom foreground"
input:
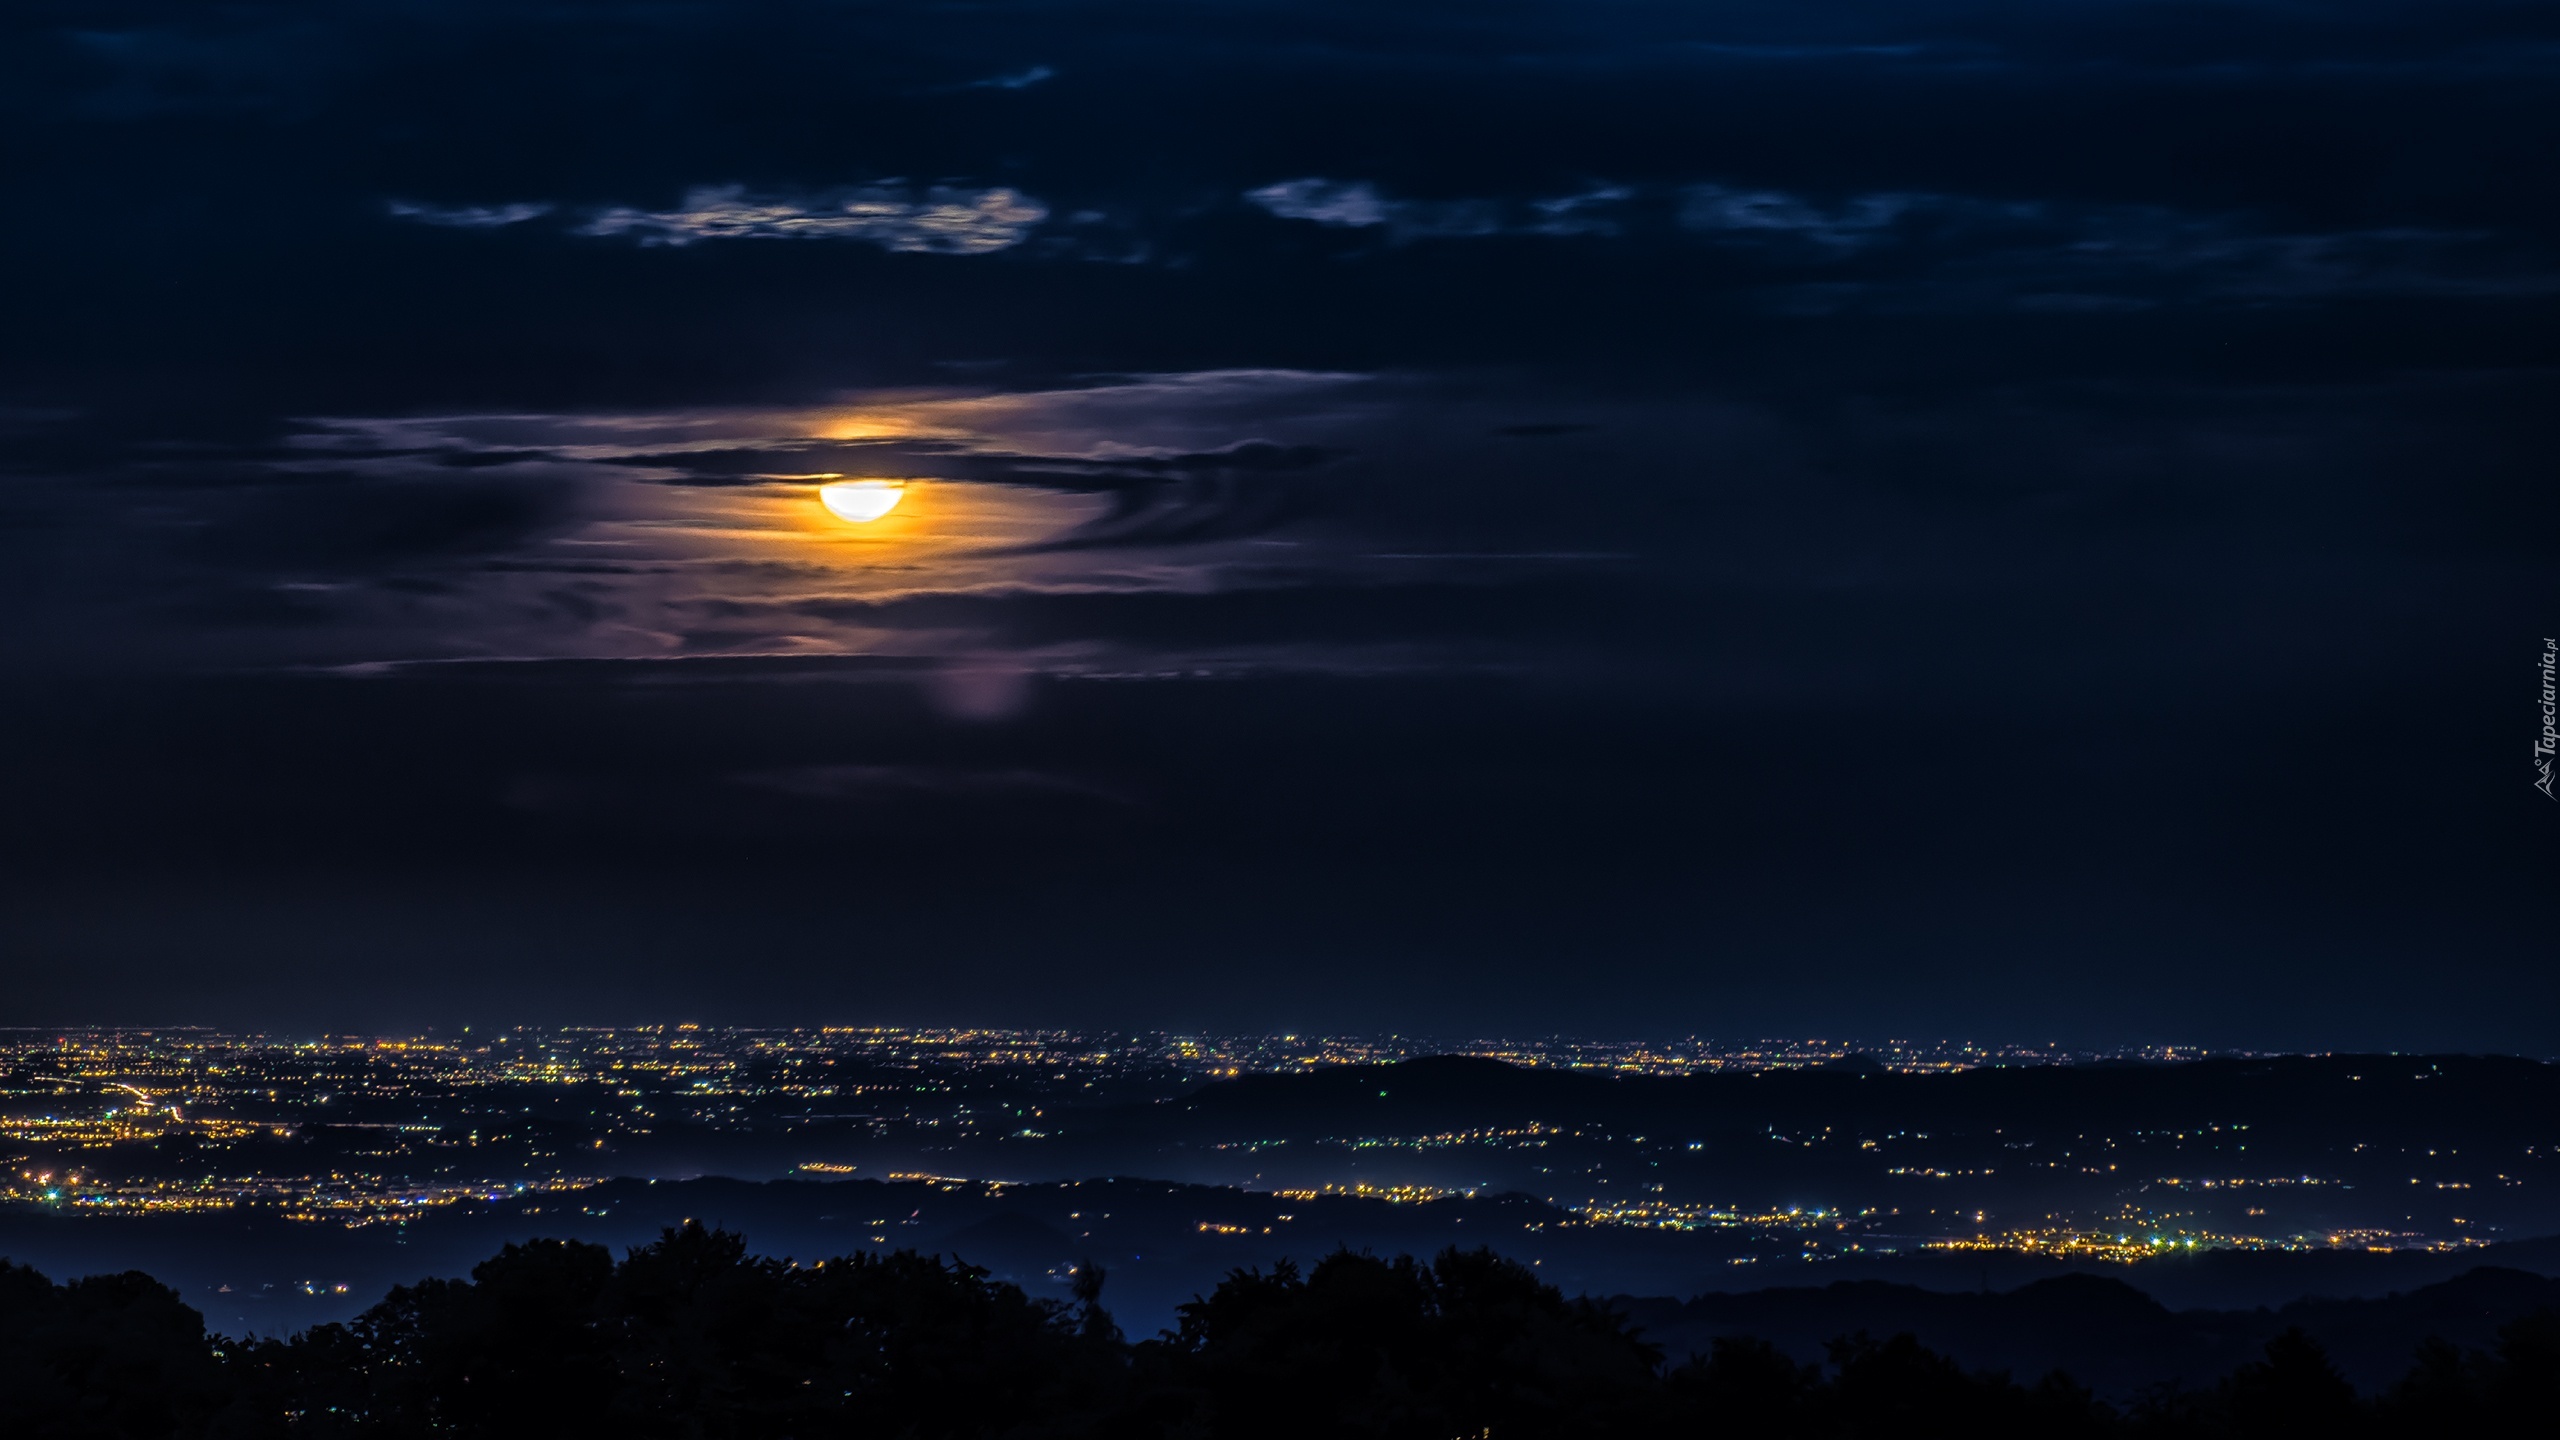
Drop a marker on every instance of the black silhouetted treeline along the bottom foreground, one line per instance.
(698, 1339)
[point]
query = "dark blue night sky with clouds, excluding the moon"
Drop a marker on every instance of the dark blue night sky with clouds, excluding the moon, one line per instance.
(1883, 519)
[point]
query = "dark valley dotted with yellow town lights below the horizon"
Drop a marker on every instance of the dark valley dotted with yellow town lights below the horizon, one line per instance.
(1734, 1157)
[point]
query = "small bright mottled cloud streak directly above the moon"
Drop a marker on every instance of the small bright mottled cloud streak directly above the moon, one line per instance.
(941, 222)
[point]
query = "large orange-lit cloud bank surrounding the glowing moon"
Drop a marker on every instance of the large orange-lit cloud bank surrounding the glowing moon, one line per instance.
(700, 532)
